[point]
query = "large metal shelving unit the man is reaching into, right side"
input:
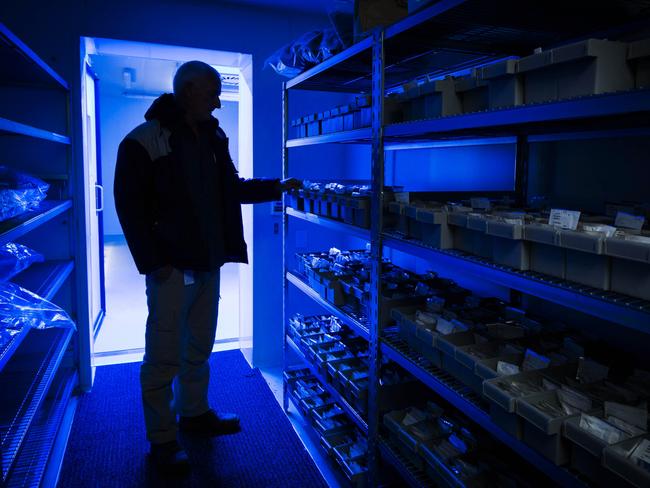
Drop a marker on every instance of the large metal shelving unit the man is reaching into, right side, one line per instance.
(449, 36)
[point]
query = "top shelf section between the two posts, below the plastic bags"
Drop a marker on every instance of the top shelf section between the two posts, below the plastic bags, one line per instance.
(344, 72)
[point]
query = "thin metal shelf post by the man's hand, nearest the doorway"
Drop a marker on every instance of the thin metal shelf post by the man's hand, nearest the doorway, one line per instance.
(285, 233)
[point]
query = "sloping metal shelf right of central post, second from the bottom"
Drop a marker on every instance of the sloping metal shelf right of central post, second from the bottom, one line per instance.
(460, 397)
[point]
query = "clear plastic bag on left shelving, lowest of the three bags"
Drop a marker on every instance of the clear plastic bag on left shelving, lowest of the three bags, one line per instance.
(21, 308)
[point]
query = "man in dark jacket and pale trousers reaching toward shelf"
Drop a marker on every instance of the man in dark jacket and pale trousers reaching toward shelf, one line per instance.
(178, 198)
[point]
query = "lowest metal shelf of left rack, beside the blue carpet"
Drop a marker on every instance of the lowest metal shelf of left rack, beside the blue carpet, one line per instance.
(35, 453)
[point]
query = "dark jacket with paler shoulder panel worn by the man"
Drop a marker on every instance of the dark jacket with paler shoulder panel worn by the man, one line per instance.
(178, 197)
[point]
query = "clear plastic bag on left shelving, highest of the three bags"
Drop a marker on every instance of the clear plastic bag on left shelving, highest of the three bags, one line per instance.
(19, 192)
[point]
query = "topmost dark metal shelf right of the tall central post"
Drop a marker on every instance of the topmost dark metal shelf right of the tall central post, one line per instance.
(458, 34)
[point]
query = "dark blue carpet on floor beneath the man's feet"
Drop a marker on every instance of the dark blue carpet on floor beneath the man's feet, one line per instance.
(108, 448)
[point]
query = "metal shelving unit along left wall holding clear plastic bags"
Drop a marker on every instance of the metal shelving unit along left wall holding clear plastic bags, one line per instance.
(36, 388)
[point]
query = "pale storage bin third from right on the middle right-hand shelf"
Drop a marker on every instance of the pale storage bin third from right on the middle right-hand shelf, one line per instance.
(545, 254)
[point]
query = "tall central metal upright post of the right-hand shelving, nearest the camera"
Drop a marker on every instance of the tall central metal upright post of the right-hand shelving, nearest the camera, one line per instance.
(376, 250)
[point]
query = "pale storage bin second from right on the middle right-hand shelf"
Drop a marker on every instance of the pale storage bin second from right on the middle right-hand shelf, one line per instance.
(586, 262)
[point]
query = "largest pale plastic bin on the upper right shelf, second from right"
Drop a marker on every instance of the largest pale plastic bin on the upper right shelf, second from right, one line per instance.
(588, 67)
